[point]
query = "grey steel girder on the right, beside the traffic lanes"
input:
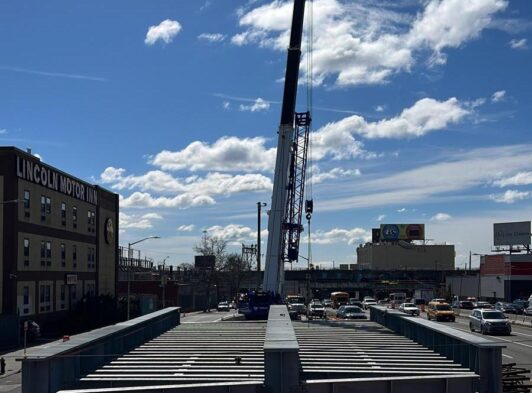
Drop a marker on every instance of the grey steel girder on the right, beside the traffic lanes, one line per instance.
(480, 355)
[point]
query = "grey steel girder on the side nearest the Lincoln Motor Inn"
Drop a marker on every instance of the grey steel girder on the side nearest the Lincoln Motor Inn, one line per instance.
(50, 368)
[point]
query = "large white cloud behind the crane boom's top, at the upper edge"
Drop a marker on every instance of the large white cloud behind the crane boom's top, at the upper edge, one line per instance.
(367, 43)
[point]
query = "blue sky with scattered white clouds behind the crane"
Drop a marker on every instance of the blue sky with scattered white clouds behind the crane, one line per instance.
(421, 113)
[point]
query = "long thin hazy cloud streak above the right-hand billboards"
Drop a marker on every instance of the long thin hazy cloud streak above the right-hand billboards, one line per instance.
(443, 180)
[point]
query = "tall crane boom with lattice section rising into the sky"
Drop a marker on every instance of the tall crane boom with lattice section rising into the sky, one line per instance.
(283, 224)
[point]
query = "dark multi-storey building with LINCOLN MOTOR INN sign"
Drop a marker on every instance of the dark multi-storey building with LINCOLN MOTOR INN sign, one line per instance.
(58, 238)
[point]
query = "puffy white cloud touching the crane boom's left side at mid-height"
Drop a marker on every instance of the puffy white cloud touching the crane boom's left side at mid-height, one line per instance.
(226, 154)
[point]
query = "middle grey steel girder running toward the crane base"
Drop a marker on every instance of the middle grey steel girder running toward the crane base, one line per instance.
(281, 352)
